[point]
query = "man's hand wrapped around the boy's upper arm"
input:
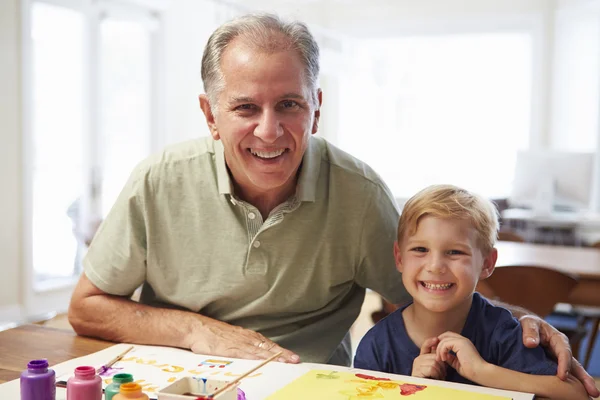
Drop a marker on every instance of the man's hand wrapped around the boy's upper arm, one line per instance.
(537, 331)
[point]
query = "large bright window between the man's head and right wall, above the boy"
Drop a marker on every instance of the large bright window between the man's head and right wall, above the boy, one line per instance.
(440, 109)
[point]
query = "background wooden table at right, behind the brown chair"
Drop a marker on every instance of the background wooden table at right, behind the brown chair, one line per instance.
(583, 263)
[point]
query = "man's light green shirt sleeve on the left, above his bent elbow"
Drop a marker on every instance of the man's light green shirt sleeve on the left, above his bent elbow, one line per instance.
(116, 259)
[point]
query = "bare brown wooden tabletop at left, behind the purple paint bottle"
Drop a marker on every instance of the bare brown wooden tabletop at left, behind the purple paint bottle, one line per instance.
(20, 345)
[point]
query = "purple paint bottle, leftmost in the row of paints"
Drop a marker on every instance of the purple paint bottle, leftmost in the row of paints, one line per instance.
(38, 381)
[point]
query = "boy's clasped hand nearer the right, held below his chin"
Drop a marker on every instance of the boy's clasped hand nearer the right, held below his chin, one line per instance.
(465, 358)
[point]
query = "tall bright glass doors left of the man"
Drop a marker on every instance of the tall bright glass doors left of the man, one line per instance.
(92, 86)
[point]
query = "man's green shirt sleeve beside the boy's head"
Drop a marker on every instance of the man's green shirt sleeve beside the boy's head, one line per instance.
(377, 269)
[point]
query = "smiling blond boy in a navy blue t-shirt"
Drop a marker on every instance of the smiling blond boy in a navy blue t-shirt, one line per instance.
(446, 239)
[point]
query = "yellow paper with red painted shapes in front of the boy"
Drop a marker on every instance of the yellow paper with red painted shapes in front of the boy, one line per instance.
(333, 385)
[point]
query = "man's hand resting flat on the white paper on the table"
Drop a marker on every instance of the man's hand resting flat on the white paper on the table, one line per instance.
(221, 339)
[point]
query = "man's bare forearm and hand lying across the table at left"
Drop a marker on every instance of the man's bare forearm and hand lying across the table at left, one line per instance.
(93, 312)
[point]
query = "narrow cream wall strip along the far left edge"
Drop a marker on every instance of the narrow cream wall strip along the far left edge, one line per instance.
(10, 158)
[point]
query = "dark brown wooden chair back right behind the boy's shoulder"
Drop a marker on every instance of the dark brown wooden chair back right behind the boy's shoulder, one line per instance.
(535, 288)
